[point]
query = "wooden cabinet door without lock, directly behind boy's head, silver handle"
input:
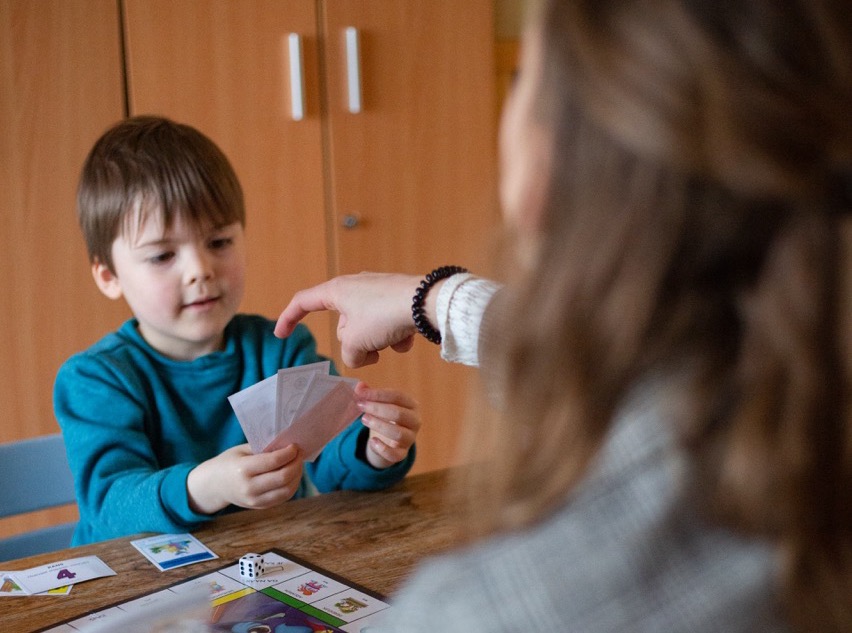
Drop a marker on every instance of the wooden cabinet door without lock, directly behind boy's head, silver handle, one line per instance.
(223, 67)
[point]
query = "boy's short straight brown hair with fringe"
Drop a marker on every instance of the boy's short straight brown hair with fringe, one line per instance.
(153, 164)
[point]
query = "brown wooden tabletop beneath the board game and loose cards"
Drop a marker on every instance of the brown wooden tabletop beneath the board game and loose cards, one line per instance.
(371, 538)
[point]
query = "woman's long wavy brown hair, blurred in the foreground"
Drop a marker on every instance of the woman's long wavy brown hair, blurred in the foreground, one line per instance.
(695, 225)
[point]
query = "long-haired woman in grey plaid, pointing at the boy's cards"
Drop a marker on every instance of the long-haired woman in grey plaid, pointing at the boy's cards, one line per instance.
(671, 352)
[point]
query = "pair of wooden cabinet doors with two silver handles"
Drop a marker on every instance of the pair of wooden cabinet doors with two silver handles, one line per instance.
(406, 183)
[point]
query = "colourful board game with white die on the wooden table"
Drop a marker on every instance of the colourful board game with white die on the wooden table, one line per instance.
(291, 596)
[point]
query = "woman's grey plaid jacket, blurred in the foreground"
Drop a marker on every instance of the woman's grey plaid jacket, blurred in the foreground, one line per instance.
(629, 551)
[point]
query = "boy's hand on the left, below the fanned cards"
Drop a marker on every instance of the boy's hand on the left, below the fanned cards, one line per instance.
(239, 477)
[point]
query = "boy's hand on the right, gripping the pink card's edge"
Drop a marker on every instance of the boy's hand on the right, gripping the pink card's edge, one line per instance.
(393, 419)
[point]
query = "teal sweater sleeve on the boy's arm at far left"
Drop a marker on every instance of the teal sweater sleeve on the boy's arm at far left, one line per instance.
(120, 487)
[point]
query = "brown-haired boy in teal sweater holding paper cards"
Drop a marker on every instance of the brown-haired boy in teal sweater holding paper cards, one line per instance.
(152, 440)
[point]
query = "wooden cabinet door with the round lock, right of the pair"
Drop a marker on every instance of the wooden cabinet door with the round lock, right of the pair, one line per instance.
(414, 170)
